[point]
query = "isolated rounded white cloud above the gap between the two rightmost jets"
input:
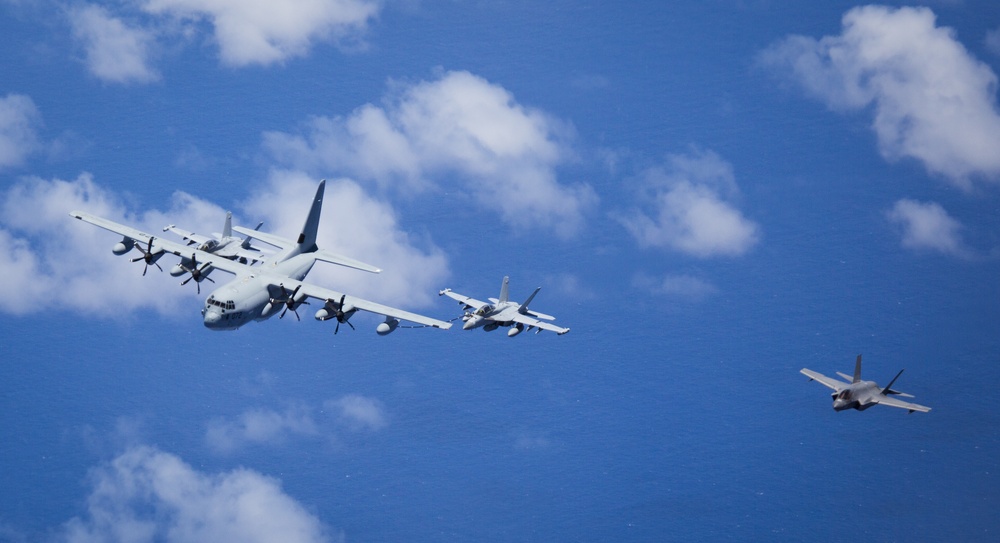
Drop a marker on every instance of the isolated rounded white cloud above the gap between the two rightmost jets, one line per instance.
(692, 209)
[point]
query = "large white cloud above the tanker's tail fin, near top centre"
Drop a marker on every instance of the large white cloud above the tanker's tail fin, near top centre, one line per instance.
(457, 132)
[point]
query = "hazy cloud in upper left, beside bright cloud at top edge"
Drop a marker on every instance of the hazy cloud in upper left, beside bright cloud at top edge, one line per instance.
(114, 51)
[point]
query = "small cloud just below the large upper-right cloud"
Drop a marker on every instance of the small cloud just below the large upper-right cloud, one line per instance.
(927, 226)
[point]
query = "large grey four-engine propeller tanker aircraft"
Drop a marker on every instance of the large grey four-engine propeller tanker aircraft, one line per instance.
(272, 288)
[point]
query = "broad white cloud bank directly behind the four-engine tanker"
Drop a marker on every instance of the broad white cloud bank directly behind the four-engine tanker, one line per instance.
(42, 247)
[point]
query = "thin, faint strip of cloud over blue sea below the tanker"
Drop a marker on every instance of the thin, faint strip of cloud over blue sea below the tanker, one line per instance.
(262, 427)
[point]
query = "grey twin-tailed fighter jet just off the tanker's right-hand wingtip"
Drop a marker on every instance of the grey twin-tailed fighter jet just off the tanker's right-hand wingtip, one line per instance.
(502, 312)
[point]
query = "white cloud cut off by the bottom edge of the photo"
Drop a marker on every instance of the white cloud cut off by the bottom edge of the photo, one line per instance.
(147, 495)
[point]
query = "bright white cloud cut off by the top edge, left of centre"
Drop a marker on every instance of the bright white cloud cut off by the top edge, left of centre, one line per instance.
(266, 32)
